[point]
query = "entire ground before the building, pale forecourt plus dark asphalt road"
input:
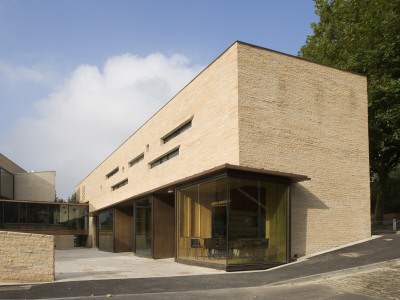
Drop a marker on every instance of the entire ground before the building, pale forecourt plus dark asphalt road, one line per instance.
(367, 270)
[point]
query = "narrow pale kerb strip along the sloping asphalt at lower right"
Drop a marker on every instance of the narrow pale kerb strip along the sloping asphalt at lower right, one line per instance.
(348, 271)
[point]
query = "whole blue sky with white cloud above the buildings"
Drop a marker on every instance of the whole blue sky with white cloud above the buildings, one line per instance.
(78, 77)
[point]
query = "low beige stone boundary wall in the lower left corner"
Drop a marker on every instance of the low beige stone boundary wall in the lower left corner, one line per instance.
(26, 257)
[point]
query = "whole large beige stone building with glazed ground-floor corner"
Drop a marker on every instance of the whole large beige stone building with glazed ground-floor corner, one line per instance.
(263, 157)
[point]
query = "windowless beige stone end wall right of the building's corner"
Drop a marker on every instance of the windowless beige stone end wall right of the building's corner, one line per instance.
(300, 117)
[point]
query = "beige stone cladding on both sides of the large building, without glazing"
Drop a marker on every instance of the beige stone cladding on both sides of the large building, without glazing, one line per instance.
(262, 109)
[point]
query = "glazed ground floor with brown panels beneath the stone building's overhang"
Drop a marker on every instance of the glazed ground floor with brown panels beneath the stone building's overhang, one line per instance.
(234, 221)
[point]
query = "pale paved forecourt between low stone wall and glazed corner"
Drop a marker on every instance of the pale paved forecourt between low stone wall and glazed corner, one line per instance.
(91, 264)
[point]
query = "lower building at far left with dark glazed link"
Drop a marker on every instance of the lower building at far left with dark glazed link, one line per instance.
(27, 205)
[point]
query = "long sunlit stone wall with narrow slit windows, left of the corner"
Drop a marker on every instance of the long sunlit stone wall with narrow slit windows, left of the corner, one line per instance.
(211, 100)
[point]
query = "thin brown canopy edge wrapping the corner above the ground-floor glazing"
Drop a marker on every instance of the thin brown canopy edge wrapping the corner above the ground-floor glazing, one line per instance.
(291, 177)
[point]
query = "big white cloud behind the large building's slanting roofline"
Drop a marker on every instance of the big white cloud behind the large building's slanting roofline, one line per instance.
(92, 112)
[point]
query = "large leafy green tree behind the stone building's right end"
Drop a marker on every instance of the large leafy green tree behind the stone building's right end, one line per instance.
(364, 36)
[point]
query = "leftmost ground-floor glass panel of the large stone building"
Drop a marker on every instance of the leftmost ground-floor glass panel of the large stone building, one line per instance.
(106, 230)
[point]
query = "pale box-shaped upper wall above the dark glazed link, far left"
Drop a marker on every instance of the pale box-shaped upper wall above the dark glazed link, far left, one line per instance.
(35, 186)
